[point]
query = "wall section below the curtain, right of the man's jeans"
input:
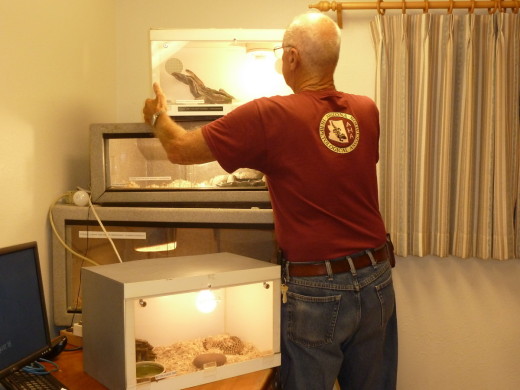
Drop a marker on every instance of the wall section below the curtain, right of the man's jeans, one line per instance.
(458, 324)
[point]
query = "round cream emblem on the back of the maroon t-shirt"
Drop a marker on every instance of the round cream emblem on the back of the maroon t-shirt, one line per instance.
(339, 132)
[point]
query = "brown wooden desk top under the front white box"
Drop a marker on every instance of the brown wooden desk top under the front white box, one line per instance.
(71, 374)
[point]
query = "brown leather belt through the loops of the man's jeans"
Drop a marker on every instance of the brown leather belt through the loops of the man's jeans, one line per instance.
(339, 265)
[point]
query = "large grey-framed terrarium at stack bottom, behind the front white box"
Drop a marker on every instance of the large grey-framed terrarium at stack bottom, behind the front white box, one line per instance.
(140, 233)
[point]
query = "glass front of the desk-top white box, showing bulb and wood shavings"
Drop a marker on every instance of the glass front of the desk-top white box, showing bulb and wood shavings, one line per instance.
(201, 330)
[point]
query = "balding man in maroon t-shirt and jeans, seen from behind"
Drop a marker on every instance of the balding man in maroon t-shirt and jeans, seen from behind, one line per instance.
(318, 149)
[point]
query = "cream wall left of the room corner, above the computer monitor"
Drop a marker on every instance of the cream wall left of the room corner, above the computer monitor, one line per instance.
(57, 75)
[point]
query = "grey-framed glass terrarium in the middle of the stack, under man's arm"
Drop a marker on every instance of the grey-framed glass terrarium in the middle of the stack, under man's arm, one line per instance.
(129, 166)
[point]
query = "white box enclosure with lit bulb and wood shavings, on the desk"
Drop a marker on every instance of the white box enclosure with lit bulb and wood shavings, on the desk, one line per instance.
(155, 300)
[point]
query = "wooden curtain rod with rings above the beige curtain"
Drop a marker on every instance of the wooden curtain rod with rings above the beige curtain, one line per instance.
(382, 6)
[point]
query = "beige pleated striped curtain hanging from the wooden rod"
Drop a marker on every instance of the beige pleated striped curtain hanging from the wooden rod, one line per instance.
(448, 90)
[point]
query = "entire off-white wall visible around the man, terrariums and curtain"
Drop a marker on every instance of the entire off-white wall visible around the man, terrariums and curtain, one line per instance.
(66, 64)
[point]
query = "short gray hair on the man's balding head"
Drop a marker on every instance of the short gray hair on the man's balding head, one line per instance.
(317, 39)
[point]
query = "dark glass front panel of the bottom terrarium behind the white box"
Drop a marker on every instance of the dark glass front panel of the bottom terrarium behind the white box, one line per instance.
(149, 242)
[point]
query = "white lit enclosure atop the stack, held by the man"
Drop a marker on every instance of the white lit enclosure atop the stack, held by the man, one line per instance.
(240, 62)
